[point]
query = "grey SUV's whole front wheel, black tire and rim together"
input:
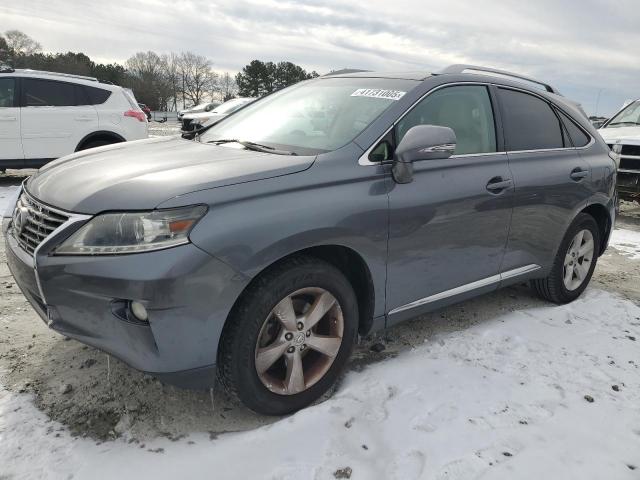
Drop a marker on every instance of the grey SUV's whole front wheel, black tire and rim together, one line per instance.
(255, 320)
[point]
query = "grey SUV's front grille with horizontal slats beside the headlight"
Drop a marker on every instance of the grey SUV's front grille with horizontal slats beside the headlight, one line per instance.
(33, 222)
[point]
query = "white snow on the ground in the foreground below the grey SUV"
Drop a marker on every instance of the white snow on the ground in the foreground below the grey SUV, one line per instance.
(504, 399)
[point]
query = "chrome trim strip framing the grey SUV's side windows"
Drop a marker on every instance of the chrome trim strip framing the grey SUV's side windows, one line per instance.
(364, 158)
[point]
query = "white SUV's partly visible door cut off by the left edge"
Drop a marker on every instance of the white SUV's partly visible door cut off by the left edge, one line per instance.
(10, 142)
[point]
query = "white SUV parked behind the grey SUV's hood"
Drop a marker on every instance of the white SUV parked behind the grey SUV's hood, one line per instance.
(46, 115)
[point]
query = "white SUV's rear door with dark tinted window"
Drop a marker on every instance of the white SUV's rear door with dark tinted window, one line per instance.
(56, 115)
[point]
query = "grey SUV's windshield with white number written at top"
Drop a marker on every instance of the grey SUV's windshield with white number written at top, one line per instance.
(312, 117)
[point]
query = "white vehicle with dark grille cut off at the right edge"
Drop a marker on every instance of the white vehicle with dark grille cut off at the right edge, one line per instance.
(622, 134)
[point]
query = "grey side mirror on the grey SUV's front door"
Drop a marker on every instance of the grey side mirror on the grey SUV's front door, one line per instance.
(422, 142)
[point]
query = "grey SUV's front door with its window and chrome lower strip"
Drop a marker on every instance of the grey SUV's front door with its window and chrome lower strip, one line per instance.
(449, 226)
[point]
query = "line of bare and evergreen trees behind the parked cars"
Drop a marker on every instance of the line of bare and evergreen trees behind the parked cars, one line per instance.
(162, 81)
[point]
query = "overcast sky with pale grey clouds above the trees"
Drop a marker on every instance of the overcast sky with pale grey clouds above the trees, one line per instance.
(583, 47)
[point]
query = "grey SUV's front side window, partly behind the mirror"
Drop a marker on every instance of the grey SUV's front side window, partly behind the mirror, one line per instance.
(465, 109)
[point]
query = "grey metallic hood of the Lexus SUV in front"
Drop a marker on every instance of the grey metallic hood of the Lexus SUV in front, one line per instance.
(140, 175)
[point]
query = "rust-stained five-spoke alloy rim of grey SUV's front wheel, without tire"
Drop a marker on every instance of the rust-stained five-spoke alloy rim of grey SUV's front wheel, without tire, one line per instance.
(299, 341)
